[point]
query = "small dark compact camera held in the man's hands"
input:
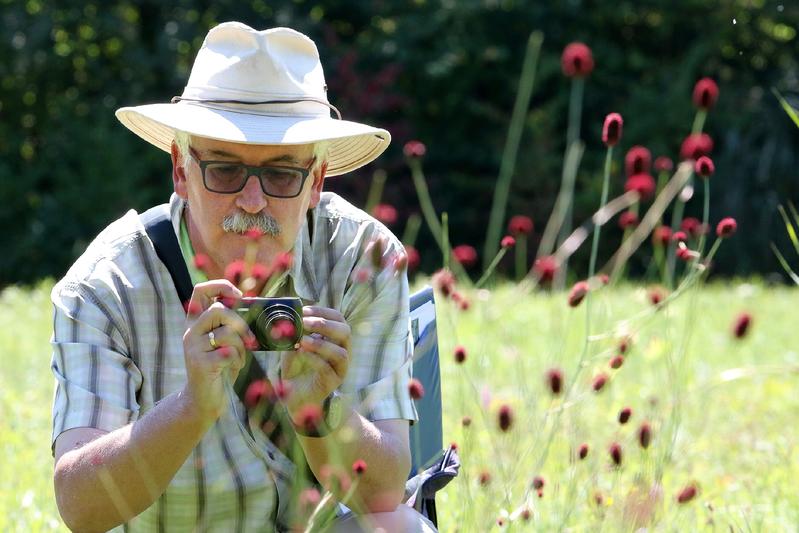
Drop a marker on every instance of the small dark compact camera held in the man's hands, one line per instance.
(276, 322)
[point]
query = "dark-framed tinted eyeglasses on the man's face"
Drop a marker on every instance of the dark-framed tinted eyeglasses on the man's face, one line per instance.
(227, 177)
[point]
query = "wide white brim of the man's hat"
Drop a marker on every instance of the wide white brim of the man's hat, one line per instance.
(352, 144)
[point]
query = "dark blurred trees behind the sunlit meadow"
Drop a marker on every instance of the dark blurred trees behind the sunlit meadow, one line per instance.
(444, 72)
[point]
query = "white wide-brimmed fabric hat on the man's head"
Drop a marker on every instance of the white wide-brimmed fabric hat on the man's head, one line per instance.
(258, 87)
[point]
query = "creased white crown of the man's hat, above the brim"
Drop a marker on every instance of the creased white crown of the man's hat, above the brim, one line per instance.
(237, 62)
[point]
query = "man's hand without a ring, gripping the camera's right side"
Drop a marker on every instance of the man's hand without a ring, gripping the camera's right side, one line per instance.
(320, 364)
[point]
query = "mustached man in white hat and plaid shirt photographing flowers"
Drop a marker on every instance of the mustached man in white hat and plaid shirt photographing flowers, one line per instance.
(147, 433)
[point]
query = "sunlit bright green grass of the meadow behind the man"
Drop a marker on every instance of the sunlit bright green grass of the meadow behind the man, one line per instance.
(736, 401)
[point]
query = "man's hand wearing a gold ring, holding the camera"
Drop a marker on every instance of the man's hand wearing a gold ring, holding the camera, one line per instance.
(208, 356)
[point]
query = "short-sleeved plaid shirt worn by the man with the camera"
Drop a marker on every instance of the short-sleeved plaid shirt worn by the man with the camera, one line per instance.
(117, 350)
